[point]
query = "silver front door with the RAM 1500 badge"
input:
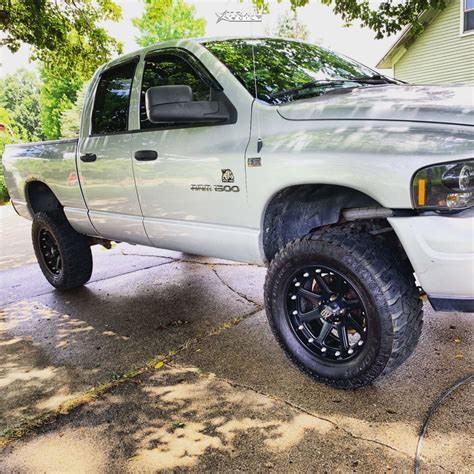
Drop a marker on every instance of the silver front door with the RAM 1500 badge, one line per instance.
(190, 177)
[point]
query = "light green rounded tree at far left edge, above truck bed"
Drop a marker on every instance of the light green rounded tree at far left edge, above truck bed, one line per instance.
(19, 95)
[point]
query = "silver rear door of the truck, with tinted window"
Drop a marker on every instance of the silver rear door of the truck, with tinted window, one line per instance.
(104, 158)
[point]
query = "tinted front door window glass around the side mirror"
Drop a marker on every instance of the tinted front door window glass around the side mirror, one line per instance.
(170, 70)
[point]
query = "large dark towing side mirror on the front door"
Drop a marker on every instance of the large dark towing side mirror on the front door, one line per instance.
(165, 104)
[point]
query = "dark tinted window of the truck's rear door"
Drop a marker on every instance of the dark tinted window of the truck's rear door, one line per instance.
(110, 114)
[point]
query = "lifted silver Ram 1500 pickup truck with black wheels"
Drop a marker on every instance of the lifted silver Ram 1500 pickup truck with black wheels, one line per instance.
(355, 190)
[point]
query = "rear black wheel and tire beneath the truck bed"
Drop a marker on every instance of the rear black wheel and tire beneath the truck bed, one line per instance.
(64, 255)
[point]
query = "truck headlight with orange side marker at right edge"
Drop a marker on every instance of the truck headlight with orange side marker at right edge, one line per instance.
(449, 186)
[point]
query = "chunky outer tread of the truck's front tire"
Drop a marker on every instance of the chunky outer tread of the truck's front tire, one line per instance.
(401, 297)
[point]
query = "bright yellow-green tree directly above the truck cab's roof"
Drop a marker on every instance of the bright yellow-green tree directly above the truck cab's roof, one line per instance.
(168, 19)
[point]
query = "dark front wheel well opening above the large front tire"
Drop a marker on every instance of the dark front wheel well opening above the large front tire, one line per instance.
(298, 210)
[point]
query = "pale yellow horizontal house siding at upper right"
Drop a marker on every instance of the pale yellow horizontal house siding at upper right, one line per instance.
(441, 54)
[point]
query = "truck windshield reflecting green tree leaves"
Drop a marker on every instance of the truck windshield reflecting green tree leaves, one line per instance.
(287, 70)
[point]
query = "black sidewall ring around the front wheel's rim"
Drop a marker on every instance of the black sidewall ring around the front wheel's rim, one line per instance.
(371, 360)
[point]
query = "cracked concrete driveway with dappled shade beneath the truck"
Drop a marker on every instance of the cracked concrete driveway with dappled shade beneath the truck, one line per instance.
(165, 361)
